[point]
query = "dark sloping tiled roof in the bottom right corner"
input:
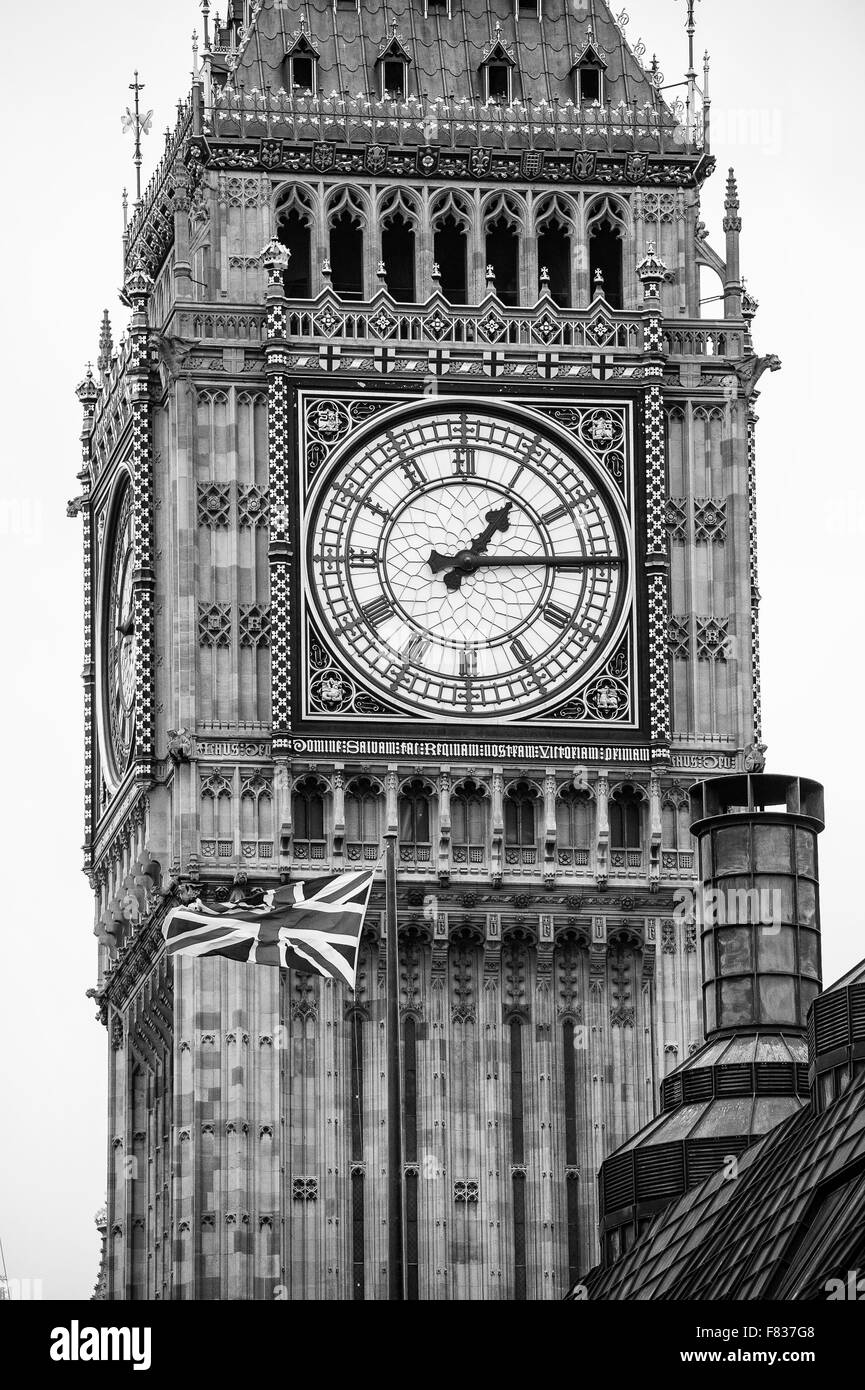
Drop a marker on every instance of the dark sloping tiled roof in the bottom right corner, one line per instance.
(792, 1220)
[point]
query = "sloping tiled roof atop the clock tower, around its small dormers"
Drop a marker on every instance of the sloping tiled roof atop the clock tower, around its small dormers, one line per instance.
(446, 52)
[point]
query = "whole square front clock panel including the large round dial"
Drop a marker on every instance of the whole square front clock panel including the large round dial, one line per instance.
(365, 651)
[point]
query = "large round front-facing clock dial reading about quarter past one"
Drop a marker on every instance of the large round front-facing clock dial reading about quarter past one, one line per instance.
(468, 565)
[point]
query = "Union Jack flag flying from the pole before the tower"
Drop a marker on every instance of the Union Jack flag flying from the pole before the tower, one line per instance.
(309, 926)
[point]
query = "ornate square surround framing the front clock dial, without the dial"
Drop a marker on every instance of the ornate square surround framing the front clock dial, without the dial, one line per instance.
(601, 433)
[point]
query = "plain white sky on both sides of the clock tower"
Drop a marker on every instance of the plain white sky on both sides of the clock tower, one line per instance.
(786, 113)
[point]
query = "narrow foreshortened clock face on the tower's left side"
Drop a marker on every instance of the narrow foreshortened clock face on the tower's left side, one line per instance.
(119, 640)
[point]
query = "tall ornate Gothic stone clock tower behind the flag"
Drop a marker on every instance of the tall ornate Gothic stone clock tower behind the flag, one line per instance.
(418, 500)
